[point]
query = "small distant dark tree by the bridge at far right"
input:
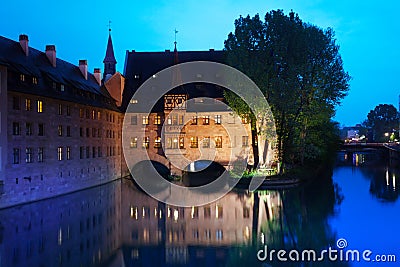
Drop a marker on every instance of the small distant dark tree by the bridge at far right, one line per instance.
(382, 120)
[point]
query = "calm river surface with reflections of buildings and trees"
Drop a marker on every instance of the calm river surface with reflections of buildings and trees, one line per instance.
(346, 217)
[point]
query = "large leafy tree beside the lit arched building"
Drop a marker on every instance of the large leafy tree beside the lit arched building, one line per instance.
(299, 70)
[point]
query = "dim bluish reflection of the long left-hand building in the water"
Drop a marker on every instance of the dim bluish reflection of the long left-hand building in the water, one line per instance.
(80, 229)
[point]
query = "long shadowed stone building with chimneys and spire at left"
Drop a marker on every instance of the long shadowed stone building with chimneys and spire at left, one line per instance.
(60, 126)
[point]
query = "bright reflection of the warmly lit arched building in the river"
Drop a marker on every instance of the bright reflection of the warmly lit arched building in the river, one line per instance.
(180, 234)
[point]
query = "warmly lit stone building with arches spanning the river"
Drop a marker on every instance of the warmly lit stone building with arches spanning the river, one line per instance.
(189, 123)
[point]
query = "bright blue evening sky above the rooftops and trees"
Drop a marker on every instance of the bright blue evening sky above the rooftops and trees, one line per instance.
(367, 32)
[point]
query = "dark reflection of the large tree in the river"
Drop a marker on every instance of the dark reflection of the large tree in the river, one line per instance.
(302, 222)
